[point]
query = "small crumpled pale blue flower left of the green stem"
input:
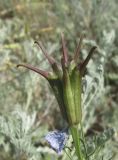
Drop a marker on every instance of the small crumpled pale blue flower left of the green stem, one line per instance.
(57, 140)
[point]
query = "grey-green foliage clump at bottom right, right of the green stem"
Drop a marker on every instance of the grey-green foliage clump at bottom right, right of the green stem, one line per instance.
(96, 145)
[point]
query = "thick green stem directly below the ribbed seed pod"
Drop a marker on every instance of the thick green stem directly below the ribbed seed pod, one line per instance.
(76, 140)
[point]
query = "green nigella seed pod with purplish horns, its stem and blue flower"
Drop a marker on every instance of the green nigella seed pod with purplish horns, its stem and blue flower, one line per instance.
(66, 82)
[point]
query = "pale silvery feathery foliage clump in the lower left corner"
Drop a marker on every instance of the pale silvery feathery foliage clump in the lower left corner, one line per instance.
(18, 127)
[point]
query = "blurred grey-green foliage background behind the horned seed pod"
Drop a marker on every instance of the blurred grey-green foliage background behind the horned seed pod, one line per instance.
(23, 93)
